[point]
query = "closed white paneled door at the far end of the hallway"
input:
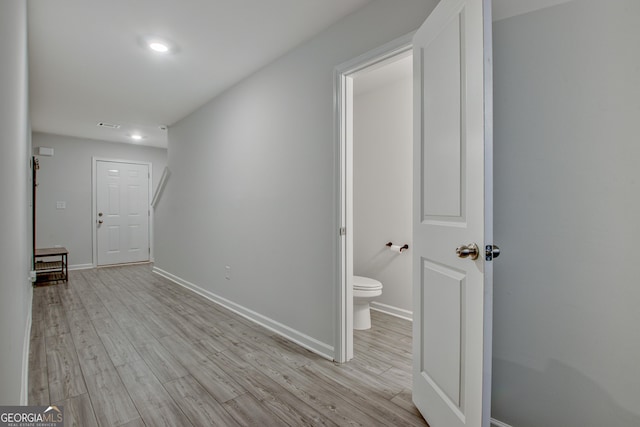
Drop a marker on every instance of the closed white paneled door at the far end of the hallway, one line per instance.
(122, 212)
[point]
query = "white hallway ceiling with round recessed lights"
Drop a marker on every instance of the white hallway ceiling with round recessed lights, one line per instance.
(87, 64)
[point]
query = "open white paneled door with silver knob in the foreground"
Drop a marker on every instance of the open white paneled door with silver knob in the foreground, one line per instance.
(453, 207)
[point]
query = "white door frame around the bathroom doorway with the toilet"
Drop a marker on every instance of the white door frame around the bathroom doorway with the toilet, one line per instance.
(343, 129)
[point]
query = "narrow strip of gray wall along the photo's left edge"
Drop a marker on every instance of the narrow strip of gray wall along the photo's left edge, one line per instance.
(15, 210)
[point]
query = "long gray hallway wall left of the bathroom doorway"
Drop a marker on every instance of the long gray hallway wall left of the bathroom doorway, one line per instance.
(254, 179)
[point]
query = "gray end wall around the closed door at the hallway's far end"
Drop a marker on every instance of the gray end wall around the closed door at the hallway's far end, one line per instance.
(67, 177)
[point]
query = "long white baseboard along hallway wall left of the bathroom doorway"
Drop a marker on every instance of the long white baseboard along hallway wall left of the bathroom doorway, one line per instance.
(298, 337)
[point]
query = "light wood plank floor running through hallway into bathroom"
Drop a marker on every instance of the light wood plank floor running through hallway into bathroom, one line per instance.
(121, 346)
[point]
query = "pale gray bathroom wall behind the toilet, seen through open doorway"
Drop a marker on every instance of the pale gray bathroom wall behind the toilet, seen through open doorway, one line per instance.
(382, 176)
